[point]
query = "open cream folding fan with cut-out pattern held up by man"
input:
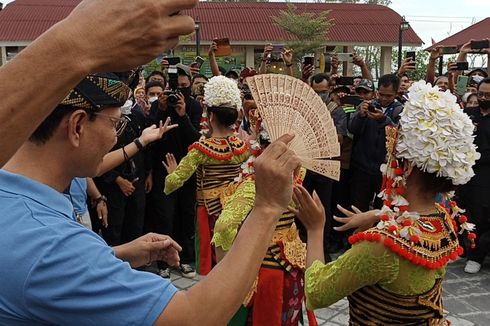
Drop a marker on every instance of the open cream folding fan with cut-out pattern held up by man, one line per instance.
(287, 104)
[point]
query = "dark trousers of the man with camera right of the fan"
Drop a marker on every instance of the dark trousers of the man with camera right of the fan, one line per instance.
(364, 188)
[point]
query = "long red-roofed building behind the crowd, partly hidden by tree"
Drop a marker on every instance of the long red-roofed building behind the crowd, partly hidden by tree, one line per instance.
(248, 25)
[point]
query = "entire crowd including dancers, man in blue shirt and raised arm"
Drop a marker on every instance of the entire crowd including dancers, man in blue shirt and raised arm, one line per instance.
(176, 169)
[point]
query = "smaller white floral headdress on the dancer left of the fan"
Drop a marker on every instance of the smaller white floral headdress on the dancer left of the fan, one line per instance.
(222, 92)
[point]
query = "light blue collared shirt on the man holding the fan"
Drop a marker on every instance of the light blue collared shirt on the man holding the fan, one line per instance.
(54, 271)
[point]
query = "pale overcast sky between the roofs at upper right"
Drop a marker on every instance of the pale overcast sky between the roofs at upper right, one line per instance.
(435, 19)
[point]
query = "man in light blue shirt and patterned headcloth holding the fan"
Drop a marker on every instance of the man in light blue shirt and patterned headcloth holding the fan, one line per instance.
(55, 271)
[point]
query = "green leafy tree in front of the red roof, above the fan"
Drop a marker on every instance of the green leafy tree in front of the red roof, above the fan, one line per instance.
(308, 30)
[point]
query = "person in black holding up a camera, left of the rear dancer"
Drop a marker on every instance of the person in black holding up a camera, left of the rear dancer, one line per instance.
(174, 214)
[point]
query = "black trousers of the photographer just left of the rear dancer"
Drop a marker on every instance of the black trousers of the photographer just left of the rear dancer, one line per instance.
(173, 215)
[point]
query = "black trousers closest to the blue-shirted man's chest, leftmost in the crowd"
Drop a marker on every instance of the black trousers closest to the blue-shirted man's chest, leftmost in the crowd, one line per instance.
(125, 214)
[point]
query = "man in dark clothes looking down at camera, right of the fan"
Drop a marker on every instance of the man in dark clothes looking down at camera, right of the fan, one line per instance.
(367, 125)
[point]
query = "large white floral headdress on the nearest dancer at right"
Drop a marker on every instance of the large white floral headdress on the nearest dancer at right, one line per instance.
(436, 135)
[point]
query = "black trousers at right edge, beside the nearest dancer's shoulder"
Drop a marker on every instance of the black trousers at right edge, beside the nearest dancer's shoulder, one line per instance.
(476, 201)
